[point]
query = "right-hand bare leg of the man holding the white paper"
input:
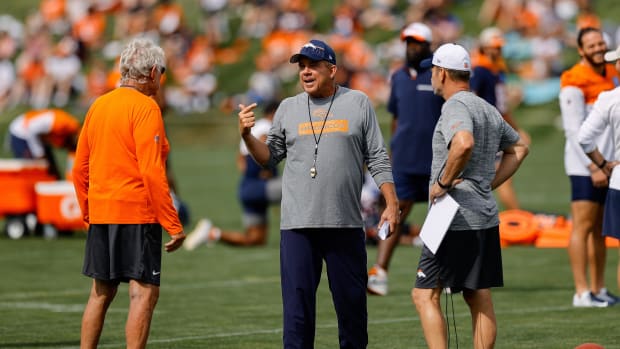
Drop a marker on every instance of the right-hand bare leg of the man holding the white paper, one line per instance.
(484, 324)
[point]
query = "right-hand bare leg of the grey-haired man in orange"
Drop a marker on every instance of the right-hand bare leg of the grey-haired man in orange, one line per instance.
(142, 300)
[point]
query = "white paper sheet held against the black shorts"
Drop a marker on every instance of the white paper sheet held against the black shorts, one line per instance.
(437, 221)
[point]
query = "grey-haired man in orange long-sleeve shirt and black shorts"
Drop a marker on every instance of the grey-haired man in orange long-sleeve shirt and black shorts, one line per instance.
(120, 180)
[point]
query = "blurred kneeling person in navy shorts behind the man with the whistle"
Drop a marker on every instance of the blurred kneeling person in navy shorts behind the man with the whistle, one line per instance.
(259, 187)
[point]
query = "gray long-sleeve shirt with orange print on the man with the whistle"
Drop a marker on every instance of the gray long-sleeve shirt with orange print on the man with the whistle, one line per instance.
(351, 138)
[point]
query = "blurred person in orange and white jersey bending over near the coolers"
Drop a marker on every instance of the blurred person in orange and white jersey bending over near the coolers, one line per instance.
(35, 133)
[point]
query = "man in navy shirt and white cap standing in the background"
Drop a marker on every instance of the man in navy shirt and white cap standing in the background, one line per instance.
(415, 110)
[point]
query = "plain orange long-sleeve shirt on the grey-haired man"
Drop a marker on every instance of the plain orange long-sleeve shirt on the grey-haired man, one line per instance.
(120, 163)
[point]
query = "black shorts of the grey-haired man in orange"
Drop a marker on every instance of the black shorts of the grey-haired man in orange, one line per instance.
(123, 252)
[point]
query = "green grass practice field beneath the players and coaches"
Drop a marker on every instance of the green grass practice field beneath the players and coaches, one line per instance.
(224, 297)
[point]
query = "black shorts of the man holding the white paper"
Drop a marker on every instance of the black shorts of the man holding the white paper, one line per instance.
(466, 259)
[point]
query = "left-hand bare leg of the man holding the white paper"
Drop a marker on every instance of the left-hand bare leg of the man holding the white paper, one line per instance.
(427, 303)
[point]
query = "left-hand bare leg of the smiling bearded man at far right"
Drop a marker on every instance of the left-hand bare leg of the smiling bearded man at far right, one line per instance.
(583, 213)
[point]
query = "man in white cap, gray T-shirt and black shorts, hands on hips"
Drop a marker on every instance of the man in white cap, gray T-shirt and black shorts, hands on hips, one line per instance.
(468, 134)
